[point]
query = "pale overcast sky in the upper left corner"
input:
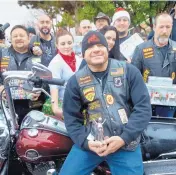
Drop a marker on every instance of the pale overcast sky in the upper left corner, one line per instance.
(12, 13)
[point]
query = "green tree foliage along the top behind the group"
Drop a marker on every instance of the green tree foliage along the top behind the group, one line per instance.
(74, 11)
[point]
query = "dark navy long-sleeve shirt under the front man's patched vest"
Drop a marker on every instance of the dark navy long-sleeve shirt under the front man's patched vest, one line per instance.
(138, 120)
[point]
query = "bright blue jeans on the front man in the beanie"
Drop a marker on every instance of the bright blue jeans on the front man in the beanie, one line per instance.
(80, 162)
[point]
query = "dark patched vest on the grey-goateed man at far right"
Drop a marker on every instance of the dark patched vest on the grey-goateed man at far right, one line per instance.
(152, 61)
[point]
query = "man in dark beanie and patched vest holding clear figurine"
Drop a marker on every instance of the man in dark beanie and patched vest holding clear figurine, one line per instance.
(115, 97)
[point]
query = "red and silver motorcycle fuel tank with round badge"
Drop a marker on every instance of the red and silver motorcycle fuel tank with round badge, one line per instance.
(42, 138)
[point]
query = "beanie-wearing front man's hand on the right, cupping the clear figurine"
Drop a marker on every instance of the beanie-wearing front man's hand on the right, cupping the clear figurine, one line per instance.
(113, 143)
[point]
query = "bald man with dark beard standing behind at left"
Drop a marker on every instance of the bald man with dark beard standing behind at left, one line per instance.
(44, 40)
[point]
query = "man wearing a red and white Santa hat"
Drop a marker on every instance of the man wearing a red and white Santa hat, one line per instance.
(121, 21)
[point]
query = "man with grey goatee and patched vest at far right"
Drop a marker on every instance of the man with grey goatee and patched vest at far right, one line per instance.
(157, 57)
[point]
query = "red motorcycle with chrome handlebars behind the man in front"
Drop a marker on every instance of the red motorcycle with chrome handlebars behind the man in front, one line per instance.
(41, 143)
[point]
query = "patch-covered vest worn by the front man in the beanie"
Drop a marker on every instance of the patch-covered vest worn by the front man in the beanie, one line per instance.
(112, 104)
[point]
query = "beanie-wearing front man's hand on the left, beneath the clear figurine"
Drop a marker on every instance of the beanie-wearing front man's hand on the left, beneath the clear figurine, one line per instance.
(97, 147)
